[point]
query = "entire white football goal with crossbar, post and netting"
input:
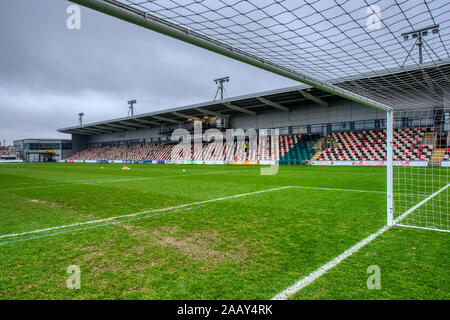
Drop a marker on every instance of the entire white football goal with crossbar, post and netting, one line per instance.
(389, 55)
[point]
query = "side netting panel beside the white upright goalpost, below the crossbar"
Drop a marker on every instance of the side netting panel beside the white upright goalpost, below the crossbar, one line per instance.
(422, 185)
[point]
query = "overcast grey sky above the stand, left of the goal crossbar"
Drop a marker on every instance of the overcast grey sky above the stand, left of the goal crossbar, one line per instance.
(49, 73)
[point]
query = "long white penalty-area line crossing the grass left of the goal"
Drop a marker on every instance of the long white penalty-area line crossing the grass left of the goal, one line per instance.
(139, 213)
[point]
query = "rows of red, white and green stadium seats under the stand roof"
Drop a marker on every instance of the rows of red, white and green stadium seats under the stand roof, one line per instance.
(409, 145)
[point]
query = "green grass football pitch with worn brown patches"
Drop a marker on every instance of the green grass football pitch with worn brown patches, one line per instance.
(247, 247)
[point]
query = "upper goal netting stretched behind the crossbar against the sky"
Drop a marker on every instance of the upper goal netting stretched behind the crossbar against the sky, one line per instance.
(353, 44)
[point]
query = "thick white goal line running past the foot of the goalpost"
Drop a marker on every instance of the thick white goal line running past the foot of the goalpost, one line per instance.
(313, 276)
